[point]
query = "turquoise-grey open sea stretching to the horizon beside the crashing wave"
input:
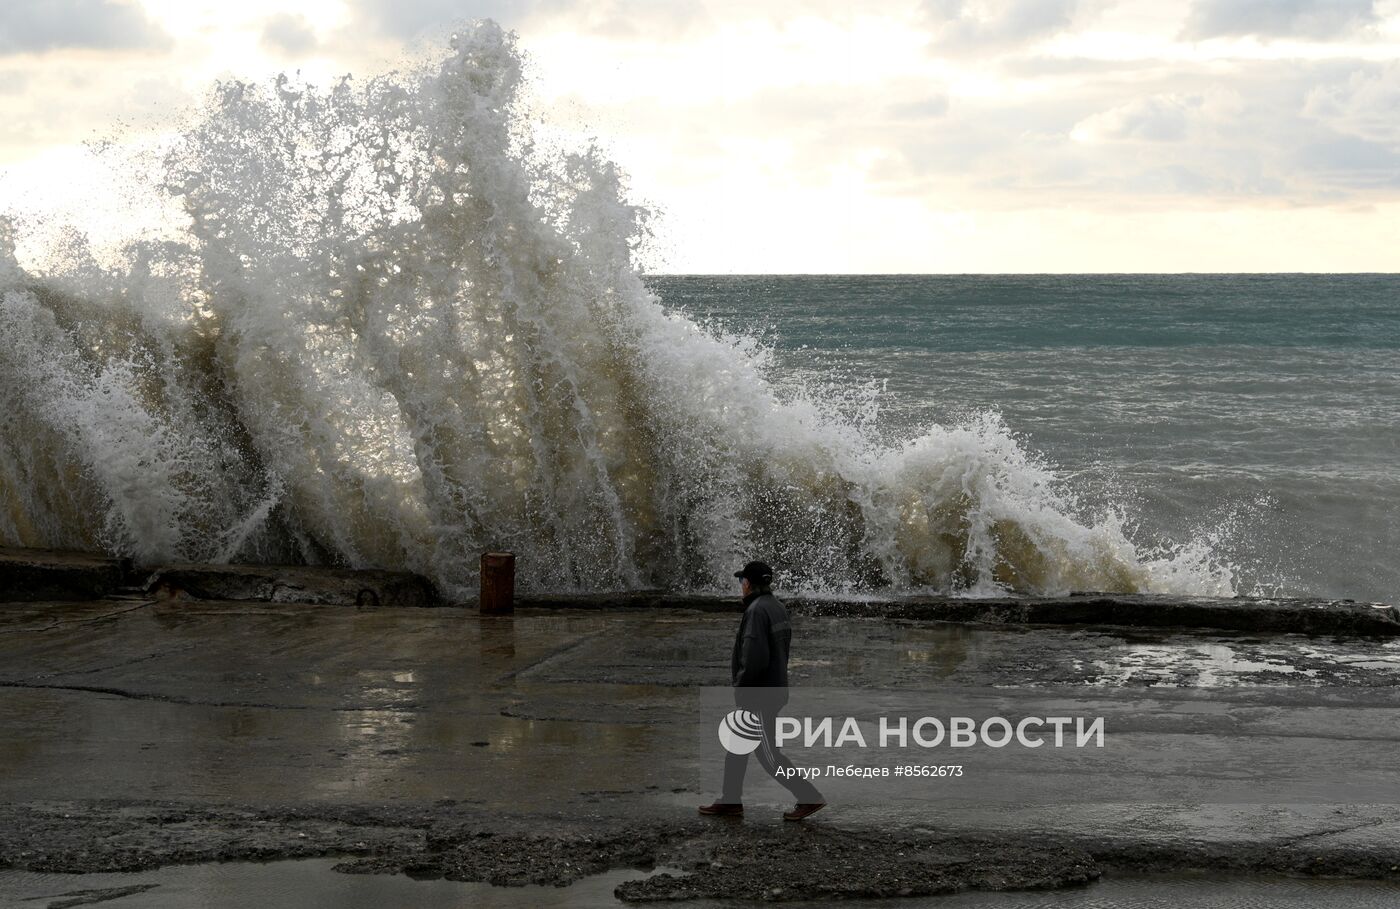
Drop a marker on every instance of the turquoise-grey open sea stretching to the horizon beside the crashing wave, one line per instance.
(1259, 411)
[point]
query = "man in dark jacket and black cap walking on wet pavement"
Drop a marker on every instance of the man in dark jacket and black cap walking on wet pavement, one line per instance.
(758, 670)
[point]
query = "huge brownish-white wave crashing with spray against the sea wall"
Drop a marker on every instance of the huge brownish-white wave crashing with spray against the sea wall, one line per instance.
(397, 334)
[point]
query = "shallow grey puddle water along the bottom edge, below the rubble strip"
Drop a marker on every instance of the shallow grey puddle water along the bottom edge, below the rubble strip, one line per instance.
(311, 884)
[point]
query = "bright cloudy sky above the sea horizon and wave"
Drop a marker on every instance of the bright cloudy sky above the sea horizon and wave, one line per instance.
(825, 137)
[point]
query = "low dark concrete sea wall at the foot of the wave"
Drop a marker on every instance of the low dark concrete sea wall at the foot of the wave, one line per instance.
(27, 575)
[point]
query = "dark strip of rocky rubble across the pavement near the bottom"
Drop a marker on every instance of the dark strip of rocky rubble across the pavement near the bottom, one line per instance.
(716, 859)
